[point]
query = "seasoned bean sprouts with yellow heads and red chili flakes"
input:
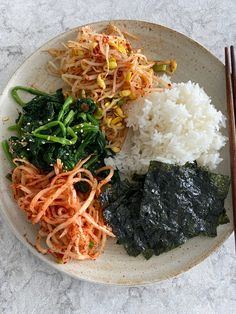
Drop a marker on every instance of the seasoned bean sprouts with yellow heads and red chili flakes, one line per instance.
(105, 67)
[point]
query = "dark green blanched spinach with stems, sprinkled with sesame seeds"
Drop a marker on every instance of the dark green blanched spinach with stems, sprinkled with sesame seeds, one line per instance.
(51, 127)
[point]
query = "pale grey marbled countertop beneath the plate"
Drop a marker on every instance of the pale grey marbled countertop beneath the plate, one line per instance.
(29, 286)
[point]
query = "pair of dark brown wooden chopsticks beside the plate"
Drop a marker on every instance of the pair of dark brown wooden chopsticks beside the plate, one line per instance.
(230, 75)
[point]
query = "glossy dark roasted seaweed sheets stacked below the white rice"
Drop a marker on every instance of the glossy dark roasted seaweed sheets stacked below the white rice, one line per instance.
(163, 209)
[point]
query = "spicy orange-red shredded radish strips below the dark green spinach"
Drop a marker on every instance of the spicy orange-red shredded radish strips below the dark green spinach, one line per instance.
(71, 222)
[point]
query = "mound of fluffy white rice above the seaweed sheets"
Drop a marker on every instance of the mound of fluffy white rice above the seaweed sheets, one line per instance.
(176, 126)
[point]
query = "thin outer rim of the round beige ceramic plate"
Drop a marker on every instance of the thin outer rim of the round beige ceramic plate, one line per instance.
(52, 264)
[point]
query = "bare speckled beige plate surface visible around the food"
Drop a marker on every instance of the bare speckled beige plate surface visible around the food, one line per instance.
(115, 266)
